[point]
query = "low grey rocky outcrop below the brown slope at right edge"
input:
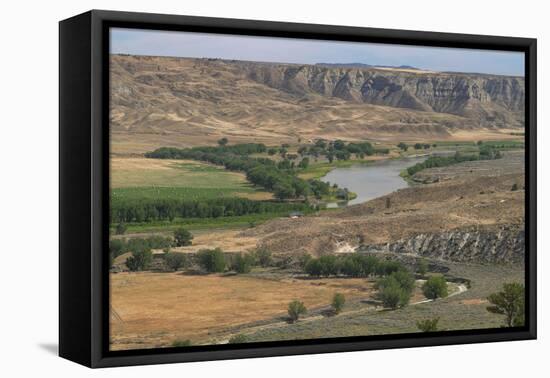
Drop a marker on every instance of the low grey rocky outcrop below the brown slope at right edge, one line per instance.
(499, 245)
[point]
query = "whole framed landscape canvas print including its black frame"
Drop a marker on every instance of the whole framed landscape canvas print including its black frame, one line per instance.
(233, 188)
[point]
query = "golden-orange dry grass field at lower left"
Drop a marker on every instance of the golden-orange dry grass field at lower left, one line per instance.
(154, 309)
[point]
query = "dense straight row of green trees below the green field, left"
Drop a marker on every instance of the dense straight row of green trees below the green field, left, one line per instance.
(147, 210)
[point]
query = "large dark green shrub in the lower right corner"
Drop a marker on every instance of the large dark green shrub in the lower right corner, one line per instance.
(509, 302)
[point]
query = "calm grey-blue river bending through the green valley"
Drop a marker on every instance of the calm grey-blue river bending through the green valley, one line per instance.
(370, 181)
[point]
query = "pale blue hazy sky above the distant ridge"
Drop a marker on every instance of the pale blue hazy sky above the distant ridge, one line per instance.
(302, 51)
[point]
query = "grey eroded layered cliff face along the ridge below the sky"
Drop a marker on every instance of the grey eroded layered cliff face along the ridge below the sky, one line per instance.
(489, 99)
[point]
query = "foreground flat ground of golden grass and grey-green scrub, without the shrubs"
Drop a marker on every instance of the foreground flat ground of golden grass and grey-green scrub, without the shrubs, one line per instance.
(151, 310)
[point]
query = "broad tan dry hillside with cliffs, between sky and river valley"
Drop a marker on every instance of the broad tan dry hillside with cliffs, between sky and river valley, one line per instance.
(161, 101)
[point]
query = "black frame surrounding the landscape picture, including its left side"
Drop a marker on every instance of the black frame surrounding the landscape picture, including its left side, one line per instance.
(84, 189)
